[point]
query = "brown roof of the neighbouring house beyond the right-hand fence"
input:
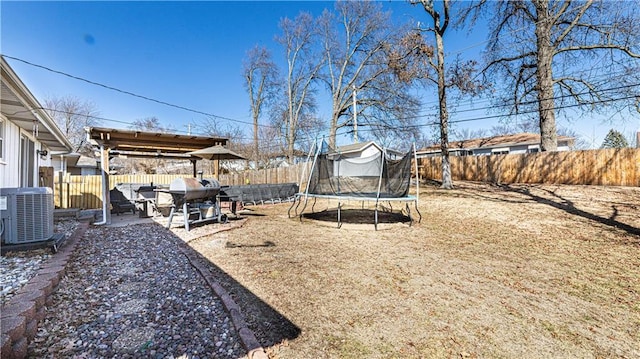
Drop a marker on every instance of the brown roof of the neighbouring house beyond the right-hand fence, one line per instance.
(494, 141)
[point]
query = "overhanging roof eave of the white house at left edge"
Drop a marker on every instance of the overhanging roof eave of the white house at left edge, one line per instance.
(23, 109)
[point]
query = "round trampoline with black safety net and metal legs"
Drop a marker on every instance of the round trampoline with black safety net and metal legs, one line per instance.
(376, 178)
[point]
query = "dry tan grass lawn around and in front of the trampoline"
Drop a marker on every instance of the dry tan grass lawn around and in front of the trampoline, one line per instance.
(492, 271)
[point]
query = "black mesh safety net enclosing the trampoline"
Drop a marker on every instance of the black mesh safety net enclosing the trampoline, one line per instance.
(336, 175)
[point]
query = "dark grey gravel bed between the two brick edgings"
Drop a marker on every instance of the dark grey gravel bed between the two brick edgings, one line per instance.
(130, 293)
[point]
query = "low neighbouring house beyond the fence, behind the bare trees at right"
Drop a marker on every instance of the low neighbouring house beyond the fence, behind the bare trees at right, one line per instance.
(496, 145)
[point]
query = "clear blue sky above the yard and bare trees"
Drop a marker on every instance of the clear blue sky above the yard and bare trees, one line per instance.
(186, 53)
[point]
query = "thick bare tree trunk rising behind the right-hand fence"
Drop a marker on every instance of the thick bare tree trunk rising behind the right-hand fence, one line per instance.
(546, 105)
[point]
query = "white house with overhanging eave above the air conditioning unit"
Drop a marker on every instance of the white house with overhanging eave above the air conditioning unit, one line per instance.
(29, 137)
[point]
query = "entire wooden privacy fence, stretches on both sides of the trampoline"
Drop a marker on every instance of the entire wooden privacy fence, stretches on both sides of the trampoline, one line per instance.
(611, 167)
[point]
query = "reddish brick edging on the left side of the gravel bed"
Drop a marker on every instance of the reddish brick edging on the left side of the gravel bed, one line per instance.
(23, 312)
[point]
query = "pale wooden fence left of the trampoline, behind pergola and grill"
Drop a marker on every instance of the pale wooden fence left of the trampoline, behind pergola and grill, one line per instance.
(86, 191)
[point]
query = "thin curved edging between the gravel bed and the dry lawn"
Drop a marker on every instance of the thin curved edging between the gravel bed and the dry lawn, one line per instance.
(247, 337)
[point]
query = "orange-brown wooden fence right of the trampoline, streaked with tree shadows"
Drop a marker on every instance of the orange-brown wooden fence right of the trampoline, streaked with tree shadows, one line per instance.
(612, 167)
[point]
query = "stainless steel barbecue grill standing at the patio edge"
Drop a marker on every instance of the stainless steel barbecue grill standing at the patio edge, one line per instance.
(195, 198)
